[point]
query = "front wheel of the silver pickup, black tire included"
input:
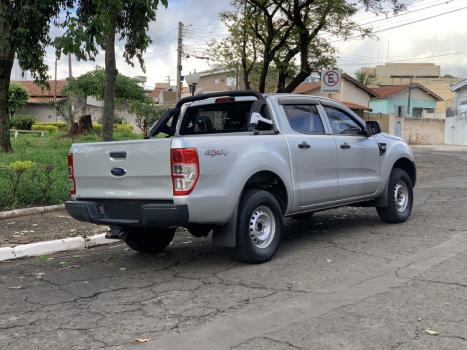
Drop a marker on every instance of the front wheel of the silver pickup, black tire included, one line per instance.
(395, 212)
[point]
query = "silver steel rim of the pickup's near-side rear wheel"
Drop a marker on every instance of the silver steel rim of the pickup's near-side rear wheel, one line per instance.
(262, 227)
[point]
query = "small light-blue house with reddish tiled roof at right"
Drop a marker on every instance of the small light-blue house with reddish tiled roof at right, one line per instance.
(394, 99)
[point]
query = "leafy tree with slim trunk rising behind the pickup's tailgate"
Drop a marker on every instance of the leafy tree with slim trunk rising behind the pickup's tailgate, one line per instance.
(95, 23)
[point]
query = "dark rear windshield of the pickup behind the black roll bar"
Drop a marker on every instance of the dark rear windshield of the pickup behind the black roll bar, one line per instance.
(216, 118)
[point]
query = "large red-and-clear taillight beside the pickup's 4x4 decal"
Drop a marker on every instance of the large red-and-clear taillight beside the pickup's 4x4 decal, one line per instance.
(184, 169)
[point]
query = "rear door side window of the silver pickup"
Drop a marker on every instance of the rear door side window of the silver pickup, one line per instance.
(304, 119)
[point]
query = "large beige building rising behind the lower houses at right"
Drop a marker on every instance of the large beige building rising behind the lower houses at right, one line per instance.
(426, 74)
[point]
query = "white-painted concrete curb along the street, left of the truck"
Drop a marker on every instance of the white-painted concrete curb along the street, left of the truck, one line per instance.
(55, 246)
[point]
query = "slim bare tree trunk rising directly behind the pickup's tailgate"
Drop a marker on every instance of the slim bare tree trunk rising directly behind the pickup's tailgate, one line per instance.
(110, 85)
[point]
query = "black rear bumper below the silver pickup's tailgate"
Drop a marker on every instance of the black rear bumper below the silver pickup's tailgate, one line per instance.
(128, 213)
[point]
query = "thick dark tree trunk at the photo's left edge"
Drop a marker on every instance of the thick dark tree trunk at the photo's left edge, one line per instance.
(7, 56)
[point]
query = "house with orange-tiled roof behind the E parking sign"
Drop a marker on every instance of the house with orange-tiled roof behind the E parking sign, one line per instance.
(353, 94)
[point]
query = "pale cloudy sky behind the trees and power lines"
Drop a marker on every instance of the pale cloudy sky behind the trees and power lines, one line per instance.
(440, 39)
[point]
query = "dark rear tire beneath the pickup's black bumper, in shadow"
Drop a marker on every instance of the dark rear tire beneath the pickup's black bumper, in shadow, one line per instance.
(149, 240)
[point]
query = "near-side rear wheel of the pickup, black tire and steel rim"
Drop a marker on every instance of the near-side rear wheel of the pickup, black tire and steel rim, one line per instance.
(258, 210)
